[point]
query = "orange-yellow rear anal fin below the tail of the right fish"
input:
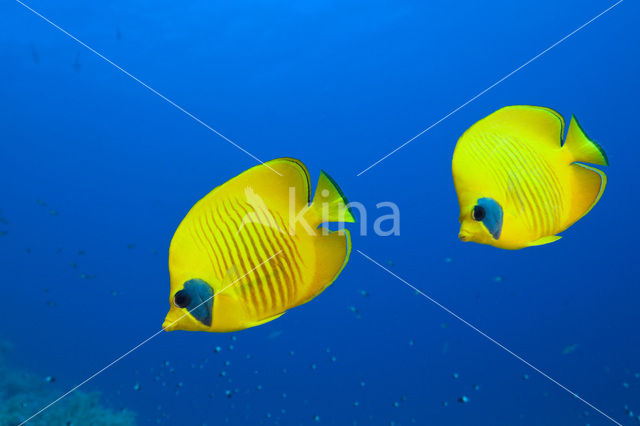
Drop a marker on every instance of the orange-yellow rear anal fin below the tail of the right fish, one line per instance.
(589, 184)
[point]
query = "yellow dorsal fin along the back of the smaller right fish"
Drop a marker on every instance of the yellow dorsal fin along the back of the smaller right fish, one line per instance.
(526, 122)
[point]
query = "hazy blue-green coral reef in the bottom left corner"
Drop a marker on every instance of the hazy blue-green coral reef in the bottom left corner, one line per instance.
(23, 393)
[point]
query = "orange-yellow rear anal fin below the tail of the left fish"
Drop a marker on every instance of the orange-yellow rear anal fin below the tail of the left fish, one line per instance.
(332, 254)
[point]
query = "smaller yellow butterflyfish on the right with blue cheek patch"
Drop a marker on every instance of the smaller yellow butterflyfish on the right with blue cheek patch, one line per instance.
(518, 184)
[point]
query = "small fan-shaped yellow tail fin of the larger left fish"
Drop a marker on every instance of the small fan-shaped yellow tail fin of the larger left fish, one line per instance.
(329, 203)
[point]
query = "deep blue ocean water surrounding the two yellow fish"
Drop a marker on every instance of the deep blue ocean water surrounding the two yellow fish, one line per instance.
(337, 85)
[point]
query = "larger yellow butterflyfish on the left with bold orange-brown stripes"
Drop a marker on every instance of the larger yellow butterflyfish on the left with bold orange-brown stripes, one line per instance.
(254, 247)
